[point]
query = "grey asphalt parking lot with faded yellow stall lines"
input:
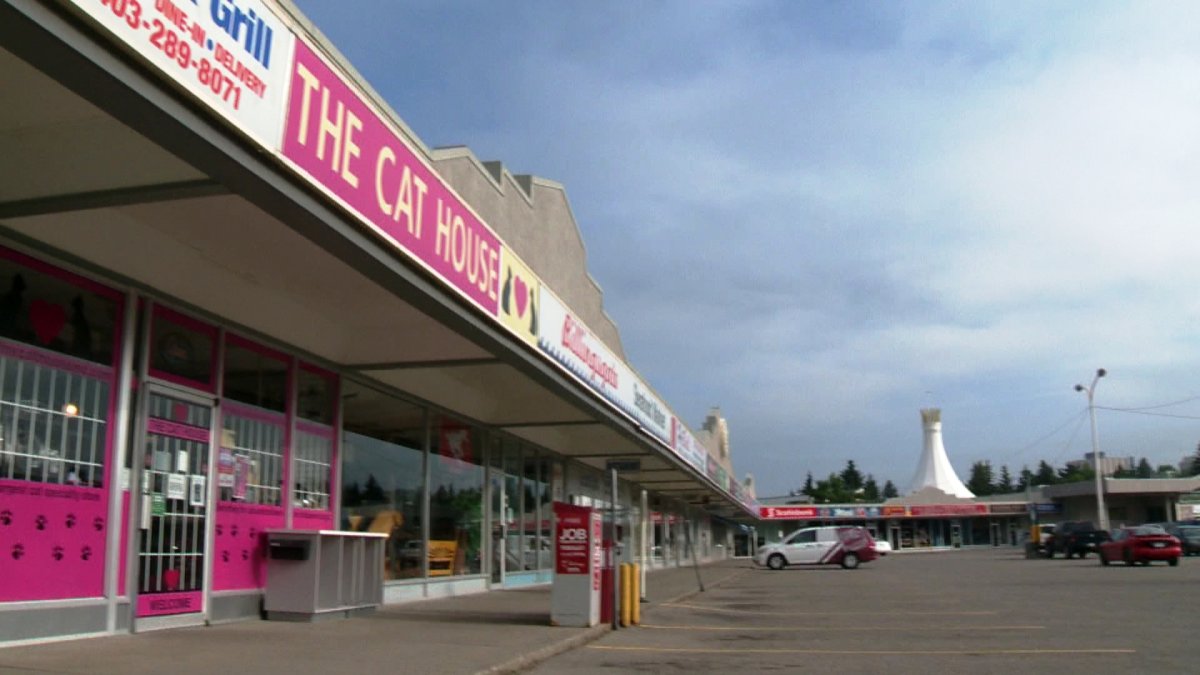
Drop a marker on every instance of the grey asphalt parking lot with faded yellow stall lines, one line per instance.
(951, 612)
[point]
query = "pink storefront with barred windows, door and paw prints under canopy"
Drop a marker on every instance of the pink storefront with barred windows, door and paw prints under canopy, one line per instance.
(221, 431)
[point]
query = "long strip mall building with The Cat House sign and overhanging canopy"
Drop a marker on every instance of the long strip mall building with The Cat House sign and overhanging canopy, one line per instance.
(241, 295)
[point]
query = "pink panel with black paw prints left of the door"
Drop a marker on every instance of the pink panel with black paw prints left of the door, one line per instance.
(52, 541)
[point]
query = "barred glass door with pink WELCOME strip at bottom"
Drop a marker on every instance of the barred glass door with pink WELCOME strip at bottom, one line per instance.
(172, 552)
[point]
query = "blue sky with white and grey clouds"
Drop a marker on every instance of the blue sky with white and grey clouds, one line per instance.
(825, 217)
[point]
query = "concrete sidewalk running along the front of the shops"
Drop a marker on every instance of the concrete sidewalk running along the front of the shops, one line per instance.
(495, 632)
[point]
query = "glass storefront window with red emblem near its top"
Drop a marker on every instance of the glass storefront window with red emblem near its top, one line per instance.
(457, 499)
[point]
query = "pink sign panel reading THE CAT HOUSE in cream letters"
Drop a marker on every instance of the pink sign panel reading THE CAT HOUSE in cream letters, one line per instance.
(335, 138)
